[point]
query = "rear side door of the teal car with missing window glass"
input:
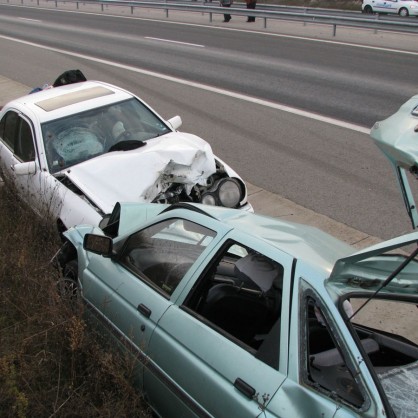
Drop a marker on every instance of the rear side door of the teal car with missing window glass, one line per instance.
(221, 349)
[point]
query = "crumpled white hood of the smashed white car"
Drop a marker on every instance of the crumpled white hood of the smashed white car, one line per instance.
(140, 175)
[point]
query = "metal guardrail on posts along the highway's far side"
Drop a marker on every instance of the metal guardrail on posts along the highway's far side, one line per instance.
(365, 21)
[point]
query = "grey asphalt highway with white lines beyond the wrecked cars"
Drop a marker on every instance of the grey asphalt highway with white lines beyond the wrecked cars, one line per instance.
(326, 166)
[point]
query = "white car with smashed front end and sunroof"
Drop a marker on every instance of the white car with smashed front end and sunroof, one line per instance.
(72, 152)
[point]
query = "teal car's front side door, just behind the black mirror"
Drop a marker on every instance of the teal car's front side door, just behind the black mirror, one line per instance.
(132, 292)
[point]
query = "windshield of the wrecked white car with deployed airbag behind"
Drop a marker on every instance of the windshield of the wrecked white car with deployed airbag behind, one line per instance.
(80, 137)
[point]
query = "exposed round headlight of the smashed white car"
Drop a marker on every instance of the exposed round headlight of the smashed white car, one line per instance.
(225, 192)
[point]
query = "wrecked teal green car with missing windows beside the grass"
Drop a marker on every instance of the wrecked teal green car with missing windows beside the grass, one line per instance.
(232, 314)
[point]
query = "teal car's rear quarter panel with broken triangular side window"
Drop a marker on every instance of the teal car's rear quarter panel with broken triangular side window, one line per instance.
(327, 374)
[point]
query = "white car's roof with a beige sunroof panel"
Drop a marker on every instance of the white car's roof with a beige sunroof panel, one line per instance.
(56, 102)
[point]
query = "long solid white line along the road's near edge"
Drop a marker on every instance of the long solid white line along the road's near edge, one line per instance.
(255, 100)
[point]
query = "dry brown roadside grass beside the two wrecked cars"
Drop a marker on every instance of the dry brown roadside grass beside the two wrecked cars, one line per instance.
(51, 363)
